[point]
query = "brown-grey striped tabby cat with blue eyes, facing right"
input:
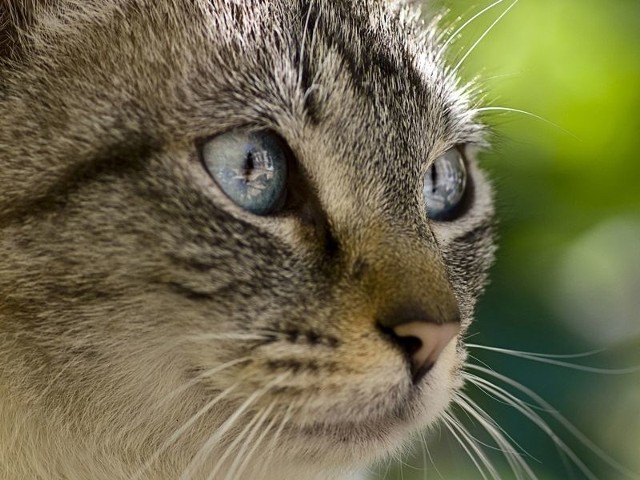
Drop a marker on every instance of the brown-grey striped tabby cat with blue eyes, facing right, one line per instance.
(238, 239)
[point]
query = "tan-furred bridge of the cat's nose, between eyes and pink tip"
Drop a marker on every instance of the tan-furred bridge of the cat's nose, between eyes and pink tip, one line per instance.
(399, 270)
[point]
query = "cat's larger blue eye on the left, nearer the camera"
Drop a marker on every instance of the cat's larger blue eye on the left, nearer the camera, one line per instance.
(250, 168)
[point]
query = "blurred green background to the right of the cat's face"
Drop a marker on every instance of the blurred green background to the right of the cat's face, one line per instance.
(567, 278)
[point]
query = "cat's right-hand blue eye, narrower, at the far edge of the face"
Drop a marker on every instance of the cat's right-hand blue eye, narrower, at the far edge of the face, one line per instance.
(444, 186)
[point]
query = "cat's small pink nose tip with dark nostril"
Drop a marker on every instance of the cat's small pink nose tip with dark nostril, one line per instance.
(424, 342)
